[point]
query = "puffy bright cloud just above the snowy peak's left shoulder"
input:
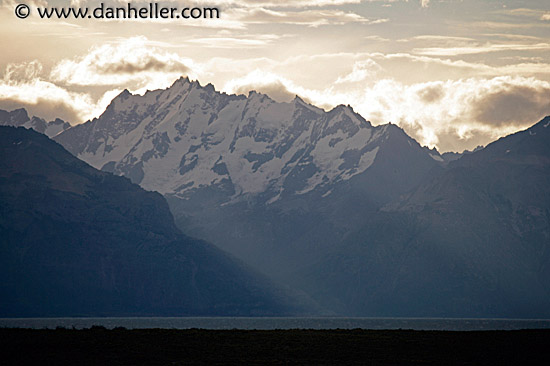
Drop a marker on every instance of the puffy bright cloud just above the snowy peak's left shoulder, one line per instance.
(135, 62)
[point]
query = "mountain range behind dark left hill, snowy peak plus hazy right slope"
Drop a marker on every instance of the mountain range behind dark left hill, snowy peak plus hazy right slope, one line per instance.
(362, 218)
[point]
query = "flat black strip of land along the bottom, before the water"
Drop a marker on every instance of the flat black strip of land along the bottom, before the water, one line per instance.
(97, 346)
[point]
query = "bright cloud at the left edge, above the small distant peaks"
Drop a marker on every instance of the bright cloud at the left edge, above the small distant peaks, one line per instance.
(22, 85)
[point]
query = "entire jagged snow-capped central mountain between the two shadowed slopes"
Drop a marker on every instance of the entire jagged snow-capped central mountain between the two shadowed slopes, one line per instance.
(269, 182)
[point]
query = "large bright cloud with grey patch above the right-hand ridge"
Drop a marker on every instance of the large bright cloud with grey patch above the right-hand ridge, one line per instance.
(460, 114)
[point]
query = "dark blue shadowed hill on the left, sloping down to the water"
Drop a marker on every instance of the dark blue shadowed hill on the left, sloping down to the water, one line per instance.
(75, 241)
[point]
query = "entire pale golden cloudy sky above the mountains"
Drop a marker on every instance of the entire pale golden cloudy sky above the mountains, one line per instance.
(454, 74)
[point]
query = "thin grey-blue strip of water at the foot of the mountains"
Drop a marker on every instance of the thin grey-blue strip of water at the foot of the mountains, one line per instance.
(280, 323)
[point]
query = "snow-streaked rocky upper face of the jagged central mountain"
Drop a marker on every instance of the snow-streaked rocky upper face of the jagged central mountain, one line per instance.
(188, 137)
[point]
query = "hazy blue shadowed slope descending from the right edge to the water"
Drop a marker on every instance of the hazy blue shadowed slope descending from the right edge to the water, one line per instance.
(472, 242)
